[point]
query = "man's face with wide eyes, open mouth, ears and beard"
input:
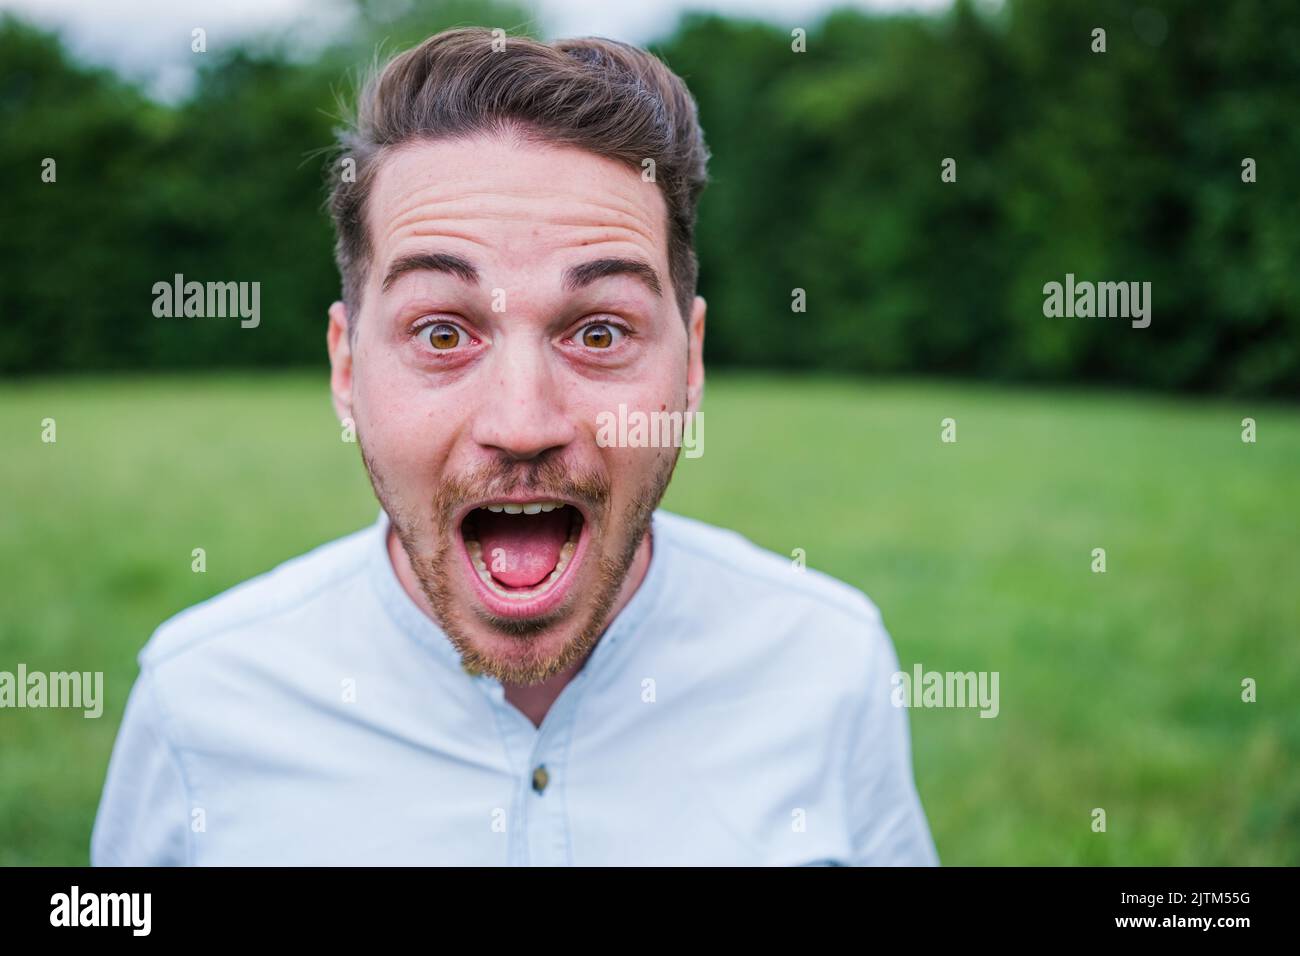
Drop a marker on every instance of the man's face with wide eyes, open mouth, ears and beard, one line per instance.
(510, 301)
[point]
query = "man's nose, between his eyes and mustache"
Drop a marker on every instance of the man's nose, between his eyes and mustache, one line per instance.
(525, 413)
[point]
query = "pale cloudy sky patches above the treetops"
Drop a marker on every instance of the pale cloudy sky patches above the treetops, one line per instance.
(150, 40)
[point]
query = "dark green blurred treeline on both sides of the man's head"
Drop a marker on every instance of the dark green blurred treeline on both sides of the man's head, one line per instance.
(1124, 166)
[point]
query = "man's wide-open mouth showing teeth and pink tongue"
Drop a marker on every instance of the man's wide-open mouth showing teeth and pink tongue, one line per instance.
(523, 553)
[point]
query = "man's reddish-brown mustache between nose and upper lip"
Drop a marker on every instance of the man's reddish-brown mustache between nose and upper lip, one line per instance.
(543, 478)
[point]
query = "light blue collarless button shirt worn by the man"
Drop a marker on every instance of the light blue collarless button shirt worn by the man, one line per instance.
(738, 712)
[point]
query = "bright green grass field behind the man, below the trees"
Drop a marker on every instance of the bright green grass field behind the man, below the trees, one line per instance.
(1119, 690)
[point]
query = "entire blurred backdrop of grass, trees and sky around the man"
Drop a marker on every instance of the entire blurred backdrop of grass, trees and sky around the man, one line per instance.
(925, 302)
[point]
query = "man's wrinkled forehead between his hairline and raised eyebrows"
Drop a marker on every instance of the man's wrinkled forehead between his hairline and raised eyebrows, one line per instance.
(513, 205)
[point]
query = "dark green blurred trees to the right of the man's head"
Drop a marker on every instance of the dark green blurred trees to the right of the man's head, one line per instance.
(1117, 166)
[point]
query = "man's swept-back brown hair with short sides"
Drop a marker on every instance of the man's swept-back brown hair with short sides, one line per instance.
(600, 96)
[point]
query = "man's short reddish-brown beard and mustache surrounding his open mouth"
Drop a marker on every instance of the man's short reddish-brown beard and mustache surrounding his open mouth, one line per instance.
(583, 617)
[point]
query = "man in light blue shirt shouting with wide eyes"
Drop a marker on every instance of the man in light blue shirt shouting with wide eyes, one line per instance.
(523, 661)
